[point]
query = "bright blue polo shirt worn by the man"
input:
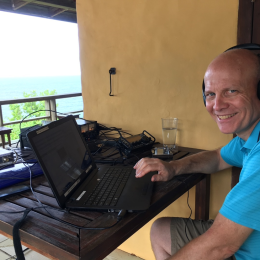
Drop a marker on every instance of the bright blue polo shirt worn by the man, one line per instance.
(242, 204)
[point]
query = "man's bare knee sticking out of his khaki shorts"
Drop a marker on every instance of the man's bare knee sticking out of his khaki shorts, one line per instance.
(161, 238)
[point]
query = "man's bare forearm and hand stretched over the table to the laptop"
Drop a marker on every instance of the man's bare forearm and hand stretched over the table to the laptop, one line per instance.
(203, 162)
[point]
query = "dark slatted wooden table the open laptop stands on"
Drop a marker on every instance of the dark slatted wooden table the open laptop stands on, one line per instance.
(56, 240)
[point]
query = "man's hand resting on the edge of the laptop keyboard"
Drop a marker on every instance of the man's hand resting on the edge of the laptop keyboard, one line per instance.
(166, 170)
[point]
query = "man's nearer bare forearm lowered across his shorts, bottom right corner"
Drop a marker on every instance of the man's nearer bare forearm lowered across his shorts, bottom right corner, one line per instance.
(221, 241)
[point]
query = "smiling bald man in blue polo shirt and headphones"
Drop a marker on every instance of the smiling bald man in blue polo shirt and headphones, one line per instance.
(231, 83)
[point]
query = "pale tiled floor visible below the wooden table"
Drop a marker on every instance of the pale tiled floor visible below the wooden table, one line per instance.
(7, 252)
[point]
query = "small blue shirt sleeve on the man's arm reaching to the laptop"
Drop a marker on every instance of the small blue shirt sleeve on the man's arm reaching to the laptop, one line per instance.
(232, 154)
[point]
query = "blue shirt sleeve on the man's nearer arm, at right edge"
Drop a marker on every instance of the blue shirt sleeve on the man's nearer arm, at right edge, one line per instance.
(242, 203)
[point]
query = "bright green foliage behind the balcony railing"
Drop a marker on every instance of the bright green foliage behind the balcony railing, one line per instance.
(19, 111)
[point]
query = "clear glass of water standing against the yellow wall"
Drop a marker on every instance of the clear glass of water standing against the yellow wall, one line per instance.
(169, 132)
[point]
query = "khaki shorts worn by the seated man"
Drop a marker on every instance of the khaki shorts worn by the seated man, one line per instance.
(194, 228)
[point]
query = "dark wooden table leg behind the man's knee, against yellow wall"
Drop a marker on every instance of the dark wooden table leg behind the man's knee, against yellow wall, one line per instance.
(202, 199)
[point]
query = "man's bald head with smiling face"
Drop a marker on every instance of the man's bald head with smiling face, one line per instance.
(231, 92)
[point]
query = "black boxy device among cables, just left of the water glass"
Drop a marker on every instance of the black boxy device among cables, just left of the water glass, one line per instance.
(143, 141)
